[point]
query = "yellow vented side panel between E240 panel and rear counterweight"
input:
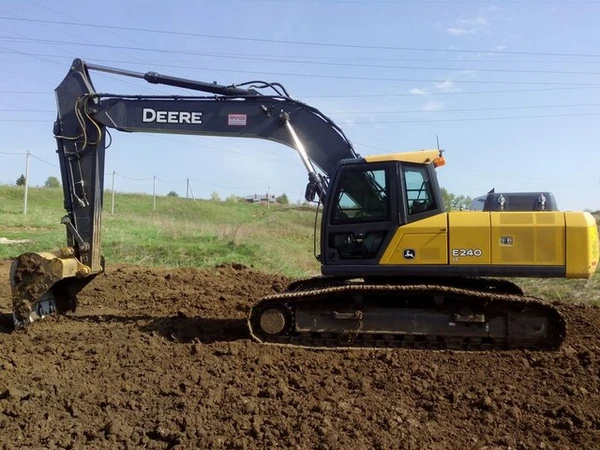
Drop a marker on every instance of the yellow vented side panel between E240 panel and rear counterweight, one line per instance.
(528, 238)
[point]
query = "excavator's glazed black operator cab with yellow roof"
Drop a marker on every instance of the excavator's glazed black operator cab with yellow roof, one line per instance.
(370, 200)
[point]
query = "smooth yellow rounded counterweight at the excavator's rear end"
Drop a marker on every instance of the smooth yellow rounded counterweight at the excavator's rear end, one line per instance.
(582, 245)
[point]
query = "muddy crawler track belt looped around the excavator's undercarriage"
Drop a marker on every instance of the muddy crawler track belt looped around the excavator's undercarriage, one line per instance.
(514, 302)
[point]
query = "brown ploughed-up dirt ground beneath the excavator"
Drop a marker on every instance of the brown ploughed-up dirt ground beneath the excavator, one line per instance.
(161, 359)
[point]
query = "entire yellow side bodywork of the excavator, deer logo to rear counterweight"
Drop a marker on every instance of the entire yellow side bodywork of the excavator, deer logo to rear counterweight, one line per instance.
(503, 239)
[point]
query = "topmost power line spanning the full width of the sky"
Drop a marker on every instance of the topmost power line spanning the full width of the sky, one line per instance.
(291, 42)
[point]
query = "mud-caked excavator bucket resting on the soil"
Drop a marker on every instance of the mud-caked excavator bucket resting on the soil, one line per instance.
(46, 283)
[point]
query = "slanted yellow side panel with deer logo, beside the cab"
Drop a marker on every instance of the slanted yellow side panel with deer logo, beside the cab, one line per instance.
(427, 238)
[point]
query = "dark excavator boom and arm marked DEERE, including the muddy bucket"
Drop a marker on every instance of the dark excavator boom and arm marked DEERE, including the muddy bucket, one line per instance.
(43, 283)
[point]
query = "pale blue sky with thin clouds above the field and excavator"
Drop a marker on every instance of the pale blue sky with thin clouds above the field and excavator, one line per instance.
(512, 88)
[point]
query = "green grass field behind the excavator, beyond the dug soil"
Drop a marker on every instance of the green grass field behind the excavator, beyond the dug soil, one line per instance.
(183, 233)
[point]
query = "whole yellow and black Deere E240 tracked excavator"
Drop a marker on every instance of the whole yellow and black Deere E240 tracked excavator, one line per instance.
(397, 269)
